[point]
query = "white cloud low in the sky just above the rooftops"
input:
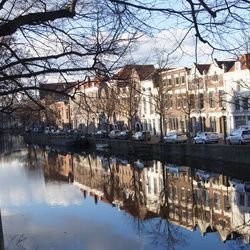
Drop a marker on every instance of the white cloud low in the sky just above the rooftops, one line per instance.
(166, 42)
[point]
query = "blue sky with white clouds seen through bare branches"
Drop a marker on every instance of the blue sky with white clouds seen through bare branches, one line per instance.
(159, 35)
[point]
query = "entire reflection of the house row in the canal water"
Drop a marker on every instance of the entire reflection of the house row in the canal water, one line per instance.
(190, 198)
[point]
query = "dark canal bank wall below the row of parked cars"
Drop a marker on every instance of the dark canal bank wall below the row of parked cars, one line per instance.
(237, 154)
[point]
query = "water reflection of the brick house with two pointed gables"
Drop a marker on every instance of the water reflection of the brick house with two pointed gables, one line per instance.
(212, 198)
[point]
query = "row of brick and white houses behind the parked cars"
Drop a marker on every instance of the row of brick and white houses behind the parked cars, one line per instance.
(205, 97)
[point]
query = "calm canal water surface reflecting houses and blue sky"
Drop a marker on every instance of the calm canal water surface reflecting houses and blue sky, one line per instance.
(61, 199)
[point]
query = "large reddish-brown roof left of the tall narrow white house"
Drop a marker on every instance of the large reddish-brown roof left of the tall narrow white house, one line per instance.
(144, 72)
